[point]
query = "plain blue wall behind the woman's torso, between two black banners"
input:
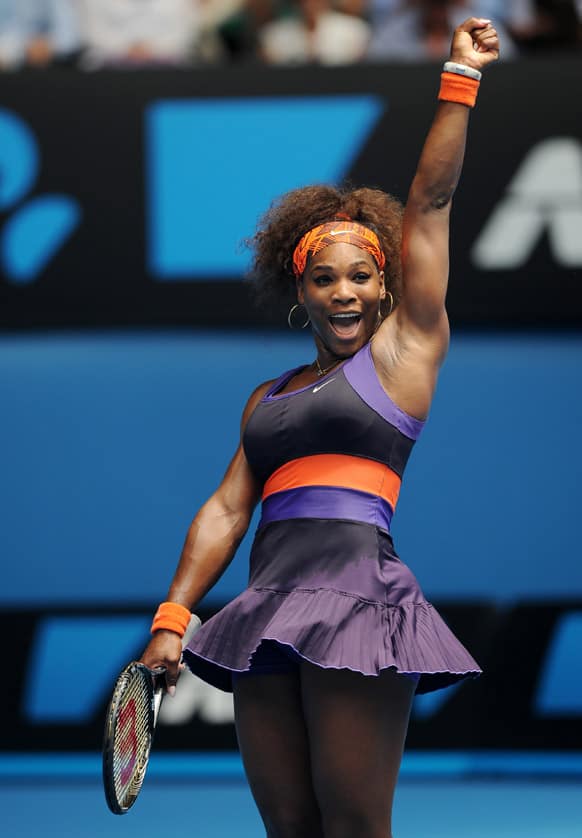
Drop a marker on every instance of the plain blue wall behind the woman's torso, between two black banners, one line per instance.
(111, 441)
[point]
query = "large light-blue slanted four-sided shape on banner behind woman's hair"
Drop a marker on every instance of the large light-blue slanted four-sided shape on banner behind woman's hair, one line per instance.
(215, 165)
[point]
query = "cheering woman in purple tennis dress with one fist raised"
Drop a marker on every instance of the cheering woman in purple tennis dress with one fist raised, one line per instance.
(327, 646)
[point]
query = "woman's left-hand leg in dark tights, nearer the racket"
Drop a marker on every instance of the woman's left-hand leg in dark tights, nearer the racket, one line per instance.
(273, 744)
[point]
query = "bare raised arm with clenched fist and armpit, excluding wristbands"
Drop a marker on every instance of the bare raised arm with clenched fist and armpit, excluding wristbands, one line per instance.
(410, 346)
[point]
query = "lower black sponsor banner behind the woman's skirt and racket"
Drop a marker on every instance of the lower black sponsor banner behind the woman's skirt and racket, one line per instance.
(530, 697)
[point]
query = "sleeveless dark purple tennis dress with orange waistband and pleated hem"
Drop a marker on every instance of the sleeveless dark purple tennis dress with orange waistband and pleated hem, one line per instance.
(325, 582)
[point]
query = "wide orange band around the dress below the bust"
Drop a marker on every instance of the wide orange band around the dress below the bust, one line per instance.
(339, 470)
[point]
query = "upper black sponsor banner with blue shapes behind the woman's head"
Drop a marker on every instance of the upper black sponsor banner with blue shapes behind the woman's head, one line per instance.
(124, 201)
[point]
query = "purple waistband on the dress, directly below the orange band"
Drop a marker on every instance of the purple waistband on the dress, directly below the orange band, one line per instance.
(327, 502)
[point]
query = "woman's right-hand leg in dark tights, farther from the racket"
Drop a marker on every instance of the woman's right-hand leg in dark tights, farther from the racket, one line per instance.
(357, 726)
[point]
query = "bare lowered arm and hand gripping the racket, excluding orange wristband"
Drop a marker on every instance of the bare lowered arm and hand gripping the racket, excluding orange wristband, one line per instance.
(211, 542)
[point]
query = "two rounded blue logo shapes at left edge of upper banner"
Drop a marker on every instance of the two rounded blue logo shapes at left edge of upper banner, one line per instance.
(38, 227)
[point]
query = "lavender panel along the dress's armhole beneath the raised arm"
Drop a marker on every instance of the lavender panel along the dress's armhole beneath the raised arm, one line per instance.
(362, 377)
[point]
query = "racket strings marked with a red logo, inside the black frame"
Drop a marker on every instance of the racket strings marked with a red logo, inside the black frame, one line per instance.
(132, 737)
